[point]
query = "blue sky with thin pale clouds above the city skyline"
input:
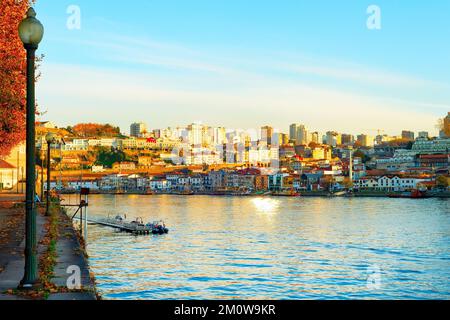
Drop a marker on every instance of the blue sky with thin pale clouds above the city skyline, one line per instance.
(244, 64)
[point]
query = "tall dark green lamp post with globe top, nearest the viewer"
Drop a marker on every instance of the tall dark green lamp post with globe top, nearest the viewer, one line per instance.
(31, 32)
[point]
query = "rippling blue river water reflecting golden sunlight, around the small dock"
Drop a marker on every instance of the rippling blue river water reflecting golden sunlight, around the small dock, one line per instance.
(274, 248)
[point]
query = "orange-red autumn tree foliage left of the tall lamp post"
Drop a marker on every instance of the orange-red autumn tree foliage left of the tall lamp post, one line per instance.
(12, 75)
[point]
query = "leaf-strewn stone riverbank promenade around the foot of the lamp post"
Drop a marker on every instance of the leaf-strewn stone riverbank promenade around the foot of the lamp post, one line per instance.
(59, 247)
